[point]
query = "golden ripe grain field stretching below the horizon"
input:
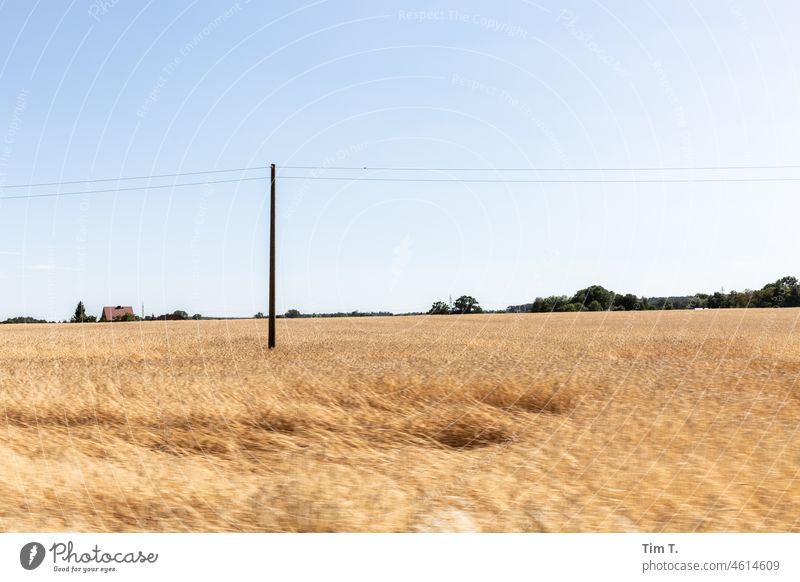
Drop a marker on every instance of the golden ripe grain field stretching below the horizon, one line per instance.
(623, 421)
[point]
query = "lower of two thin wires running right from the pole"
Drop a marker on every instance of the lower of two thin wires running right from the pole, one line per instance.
(538, 181)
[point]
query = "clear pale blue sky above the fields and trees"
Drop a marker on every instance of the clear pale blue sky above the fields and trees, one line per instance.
(97, 89)
